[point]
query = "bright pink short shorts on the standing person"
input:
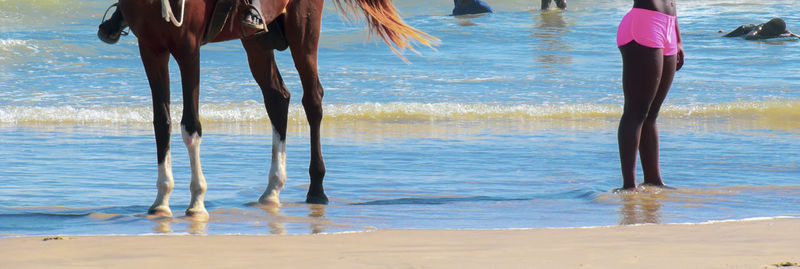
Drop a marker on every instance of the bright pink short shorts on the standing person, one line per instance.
(649, 28)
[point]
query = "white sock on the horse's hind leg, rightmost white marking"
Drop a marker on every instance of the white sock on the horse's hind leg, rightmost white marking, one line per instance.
(277, 171)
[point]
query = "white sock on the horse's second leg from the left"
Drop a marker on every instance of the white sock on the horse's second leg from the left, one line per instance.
(197, 186)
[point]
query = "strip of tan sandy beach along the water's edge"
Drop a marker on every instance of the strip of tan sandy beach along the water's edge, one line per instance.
(771, 243)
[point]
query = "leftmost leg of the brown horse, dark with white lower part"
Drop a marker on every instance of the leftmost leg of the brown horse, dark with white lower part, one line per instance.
(157, 69)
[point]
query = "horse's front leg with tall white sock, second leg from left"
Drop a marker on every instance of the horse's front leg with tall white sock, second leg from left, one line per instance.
(191, 130)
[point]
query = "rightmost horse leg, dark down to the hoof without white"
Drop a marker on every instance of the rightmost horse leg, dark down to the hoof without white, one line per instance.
(302, 33)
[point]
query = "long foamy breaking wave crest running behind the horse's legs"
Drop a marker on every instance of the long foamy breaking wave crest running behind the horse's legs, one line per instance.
(252, 111)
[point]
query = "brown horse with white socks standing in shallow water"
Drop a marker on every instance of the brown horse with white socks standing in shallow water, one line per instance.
(158, 39)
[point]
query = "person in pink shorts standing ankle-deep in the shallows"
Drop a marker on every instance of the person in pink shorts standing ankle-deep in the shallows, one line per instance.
(650, 43)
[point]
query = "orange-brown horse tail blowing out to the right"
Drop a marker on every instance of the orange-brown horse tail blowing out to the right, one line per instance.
(383, 20)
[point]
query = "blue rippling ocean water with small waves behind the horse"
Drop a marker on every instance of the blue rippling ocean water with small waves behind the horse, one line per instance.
(509, 123)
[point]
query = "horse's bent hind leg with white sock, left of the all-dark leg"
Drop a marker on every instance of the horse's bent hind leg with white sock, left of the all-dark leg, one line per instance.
(276, 100)
